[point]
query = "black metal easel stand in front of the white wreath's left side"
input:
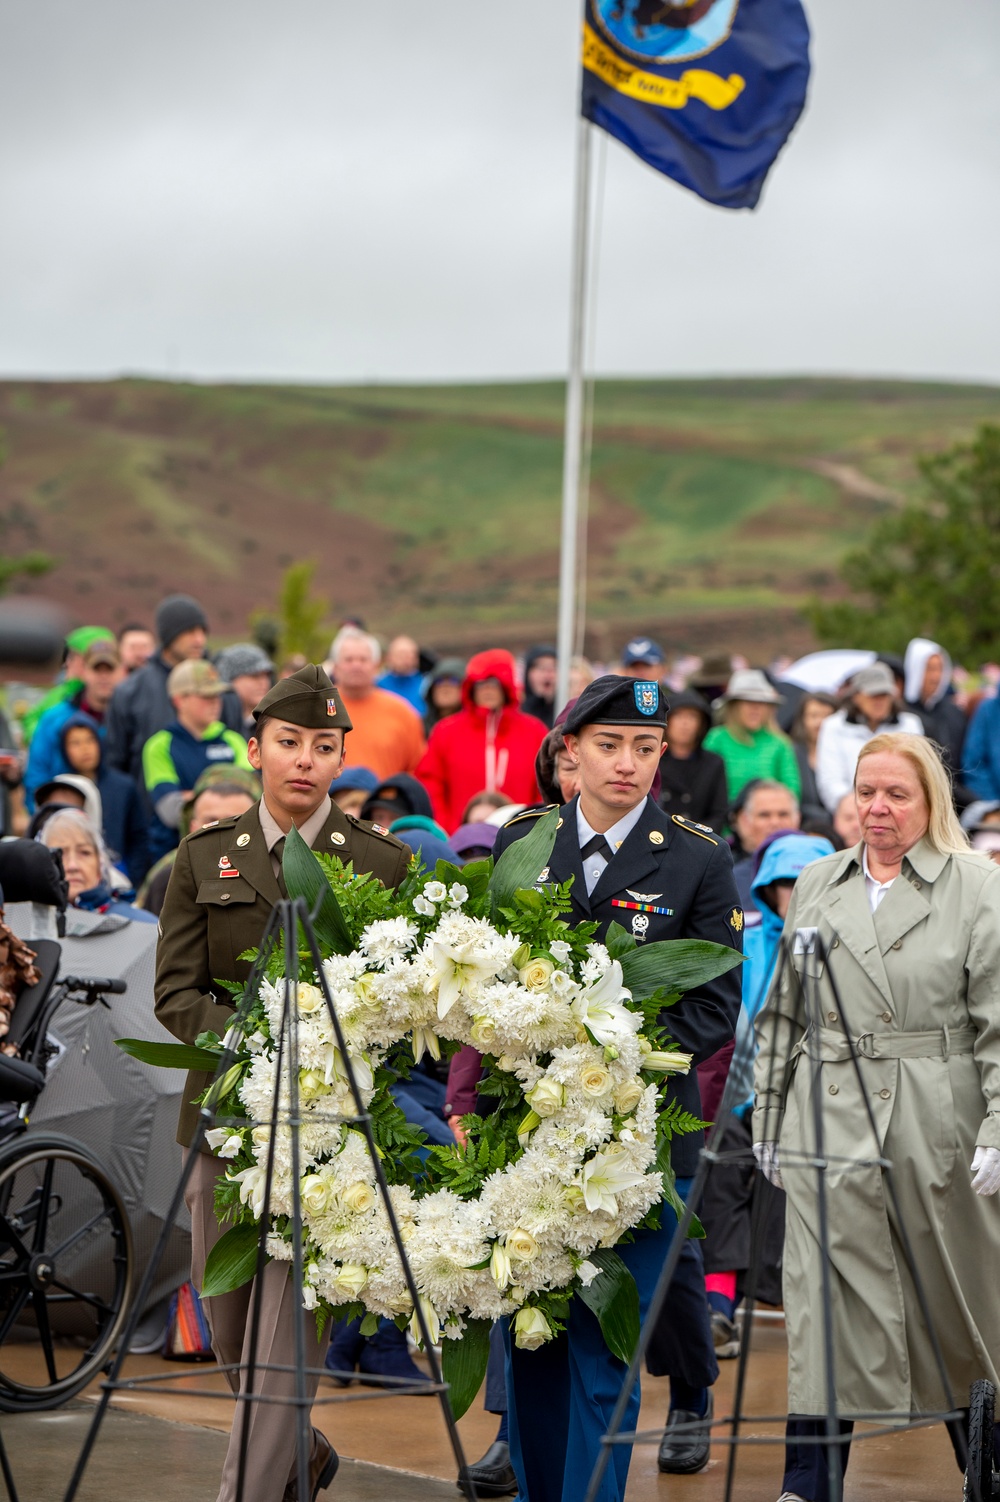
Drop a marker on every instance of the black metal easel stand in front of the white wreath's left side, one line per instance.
(291, 918)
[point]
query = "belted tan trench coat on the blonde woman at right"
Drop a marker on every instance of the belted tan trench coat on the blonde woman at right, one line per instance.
(921, 982)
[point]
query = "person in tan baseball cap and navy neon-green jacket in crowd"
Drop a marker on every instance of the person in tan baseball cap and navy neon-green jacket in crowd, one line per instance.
(175, 759)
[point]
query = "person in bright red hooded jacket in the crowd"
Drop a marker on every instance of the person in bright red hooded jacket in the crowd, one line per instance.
(489, 744)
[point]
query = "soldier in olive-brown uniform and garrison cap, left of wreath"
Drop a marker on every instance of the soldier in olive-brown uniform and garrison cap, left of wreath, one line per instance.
(221, 893)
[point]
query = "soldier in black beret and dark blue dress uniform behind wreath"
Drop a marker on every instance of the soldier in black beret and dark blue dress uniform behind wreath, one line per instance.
(658, 876)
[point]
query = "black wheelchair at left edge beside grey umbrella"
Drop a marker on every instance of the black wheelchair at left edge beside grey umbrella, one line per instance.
(67, 1259)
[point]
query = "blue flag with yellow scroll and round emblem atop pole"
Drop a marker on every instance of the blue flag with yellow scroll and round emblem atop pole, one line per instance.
(705, 91)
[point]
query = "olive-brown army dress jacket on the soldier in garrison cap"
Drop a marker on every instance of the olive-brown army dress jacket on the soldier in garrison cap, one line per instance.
(209, 920)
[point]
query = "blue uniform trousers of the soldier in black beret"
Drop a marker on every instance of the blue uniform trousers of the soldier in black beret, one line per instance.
(561, 1398)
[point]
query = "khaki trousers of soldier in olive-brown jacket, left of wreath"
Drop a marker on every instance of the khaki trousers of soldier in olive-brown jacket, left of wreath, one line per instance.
(271, 1452)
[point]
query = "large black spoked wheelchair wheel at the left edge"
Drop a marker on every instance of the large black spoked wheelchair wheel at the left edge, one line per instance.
(65, 1271)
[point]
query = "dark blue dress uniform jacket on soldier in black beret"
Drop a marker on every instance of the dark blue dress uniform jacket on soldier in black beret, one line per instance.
(675, 866)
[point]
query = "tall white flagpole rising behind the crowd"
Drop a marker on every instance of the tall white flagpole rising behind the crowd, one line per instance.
(574, 417)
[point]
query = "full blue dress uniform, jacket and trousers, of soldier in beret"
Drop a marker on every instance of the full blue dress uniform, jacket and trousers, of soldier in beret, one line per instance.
(561, 1398)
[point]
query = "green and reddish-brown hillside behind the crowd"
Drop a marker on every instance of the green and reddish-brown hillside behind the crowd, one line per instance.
(717, 507)
